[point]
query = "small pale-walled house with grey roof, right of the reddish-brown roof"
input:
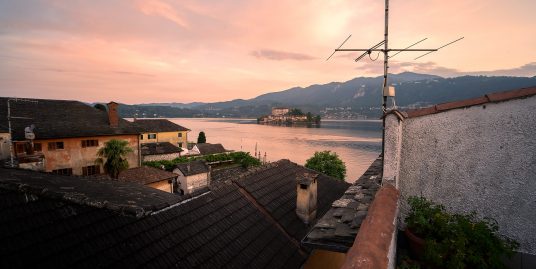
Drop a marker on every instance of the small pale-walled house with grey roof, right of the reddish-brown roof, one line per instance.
(193, 176)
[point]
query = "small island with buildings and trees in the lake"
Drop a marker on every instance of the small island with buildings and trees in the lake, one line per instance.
(289, 116)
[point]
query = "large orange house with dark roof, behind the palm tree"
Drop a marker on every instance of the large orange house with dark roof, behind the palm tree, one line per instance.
(63, 137)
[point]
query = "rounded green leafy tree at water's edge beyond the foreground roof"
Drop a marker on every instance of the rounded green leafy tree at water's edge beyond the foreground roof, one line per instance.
(328, 163)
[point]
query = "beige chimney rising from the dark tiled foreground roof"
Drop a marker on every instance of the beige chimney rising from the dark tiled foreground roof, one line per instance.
(306, 185)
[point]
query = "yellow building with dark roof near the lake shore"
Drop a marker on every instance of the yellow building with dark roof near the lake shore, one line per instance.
(162, 130)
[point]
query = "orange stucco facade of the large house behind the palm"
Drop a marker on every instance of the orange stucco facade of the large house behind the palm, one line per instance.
(75, 157)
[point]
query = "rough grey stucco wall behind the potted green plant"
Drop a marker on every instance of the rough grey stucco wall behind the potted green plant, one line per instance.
(481, 158)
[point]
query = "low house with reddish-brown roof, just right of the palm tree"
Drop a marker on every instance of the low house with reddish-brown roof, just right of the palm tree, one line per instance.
(151, 177)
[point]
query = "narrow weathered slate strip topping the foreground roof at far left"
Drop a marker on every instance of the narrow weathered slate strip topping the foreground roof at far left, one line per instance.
(128, 199)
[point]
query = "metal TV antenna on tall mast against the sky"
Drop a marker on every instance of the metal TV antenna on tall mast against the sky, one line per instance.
(388, 91)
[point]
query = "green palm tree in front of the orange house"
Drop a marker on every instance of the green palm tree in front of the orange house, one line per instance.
(114, 151)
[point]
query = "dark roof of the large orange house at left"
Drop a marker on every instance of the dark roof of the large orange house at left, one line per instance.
(60, 119)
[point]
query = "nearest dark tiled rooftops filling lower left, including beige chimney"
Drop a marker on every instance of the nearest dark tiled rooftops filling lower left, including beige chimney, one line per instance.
(251, 221)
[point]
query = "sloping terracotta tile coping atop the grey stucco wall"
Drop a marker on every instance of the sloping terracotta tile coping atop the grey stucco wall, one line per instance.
(488, 98)
